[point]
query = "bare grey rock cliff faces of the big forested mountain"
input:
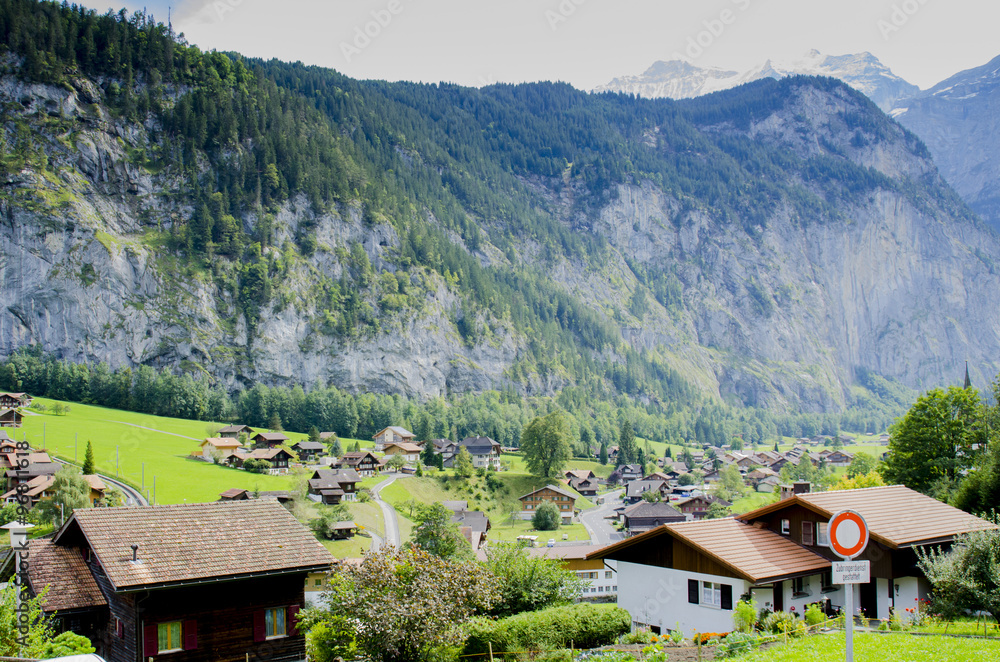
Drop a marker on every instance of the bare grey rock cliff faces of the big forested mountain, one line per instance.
(778, 315)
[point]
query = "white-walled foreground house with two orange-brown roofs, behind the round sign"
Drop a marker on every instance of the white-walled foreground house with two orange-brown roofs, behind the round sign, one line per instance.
(691, 573)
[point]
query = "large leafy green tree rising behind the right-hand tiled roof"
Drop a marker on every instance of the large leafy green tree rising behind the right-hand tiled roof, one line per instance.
(934, 440)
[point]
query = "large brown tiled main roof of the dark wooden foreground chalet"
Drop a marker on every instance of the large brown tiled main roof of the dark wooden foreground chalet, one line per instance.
(194, 542)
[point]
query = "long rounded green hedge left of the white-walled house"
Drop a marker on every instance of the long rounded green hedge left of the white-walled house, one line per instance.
(584, 625)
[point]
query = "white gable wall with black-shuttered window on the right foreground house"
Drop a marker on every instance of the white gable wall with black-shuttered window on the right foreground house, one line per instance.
(658, 596)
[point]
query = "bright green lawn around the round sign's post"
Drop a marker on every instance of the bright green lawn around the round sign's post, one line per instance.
(870, 647)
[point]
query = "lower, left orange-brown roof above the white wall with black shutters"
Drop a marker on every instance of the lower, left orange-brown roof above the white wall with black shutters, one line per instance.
(758, 555)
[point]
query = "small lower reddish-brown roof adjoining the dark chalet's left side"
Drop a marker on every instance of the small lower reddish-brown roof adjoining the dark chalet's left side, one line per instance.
(63, 570)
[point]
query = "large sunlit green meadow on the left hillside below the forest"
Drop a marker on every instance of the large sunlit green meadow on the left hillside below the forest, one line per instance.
(120, 443)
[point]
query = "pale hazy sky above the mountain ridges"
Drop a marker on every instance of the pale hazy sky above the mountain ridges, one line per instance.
(583, 42)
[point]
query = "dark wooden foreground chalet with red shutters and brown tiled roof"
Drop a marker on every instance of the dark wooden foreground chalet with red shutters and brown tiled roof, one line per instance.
(202, 582)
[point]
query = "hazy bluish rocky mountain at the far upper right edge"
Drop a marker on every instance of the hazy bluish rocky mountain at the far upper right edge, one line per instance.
(958, 119)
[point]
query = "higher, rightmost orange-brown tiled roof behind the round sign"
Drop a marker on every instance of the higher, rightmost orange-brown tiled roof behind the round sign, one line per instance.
(896, 515)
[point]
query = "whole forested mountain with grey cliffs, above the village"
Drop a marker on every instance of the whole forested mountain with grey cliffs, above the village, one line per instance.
(268, 222)
